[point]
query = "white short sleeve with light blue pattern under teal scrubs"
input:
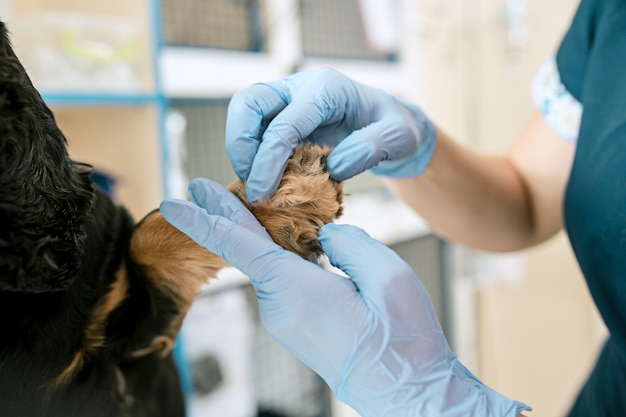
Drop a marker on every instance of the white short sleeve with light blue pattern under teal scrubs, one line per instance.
(559, 108)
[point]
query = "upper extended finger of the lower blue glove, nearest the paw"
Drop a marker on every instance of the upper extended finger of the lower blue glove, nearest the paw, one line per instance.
(216, 199)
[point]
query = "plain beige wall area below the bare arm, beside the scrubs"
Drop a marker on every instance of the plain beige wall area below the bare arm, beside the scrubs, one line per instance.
(537, 342)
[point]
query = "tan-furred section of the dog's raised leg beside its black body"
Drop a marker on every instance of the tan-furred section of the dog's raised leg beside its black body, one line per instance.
(175, 266)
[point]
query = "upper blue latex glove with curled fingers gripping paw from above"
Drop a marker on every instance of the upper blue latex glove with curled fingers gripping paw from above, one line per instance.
(370, 129)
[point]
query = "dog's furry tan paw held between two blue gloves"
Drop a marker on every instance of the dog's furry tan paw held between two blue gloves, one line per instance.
(306, 199)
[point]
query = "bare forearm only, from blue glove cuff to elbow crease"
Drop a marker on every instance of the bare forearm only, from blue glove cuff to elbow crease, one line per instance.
(477, 200)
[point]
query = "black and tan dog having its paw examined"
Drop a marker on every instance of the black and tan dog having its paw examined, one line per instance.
(90, 302)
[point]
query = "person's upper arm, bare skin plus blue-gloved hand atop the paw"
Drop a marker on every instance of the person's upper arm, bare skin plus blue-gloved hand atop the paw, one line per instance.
(496, 203)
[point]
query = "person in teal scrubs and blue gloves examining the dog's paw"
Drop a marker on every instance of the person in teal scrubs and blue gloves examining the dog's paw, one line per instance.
(375, 338)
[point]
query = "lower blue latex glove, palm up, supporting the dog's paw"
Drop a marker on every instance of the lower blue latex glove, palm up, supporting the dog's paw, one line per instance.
(374, 338)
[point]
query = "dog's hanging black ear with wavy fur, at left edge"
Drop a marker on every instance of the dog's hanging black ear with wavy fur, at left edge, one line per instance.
(45, 197)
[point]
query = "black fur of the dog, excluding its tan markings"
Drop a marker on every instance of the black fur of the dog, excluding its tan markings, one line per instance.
(61, 243)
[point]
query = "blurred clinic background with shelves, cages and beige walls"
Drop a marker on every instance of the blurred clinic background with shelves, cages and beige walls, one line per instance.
(141, 88)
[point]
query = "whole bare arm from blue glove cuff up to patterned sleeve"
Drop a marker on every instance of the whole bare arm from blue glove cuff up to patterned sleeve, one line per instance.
(493, 202)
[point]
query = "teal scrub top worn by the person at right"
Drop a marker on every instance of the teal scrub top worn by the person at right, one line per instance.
(592, 66)
